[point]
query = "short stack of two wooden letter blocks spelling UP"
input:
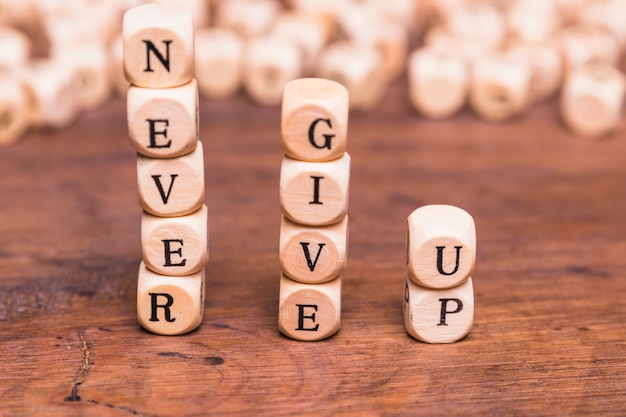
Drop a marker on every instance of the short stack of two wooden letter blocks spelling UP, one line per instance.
(438, 292)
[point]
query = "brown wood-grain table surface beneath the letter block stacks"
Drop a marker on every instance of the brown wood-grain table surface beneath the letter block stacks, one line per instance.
(550, 278)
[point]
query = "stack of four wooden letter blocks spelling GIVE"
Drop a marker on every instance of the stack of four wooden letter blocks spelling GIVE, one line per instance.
(314, 188)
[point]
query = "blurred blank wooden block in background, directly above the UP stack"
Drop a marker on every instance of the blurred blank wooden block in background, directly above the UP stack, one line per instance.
(438, 82)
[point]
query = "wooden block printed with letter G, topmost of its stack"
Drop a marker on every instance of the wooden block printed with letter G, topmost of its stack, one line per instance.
(314, 119)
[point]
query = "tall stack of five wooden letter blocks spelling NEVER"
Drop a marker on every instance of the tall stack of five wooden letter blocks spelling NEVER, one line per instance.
(163, 128)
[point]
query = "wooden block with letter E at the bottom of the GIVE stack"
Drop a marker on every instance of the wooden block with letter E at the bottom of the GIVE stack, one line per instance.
(309, 312)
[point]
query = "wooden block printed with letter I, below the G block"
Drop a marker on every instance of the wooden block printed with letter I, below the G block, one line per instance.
(315, 193)
